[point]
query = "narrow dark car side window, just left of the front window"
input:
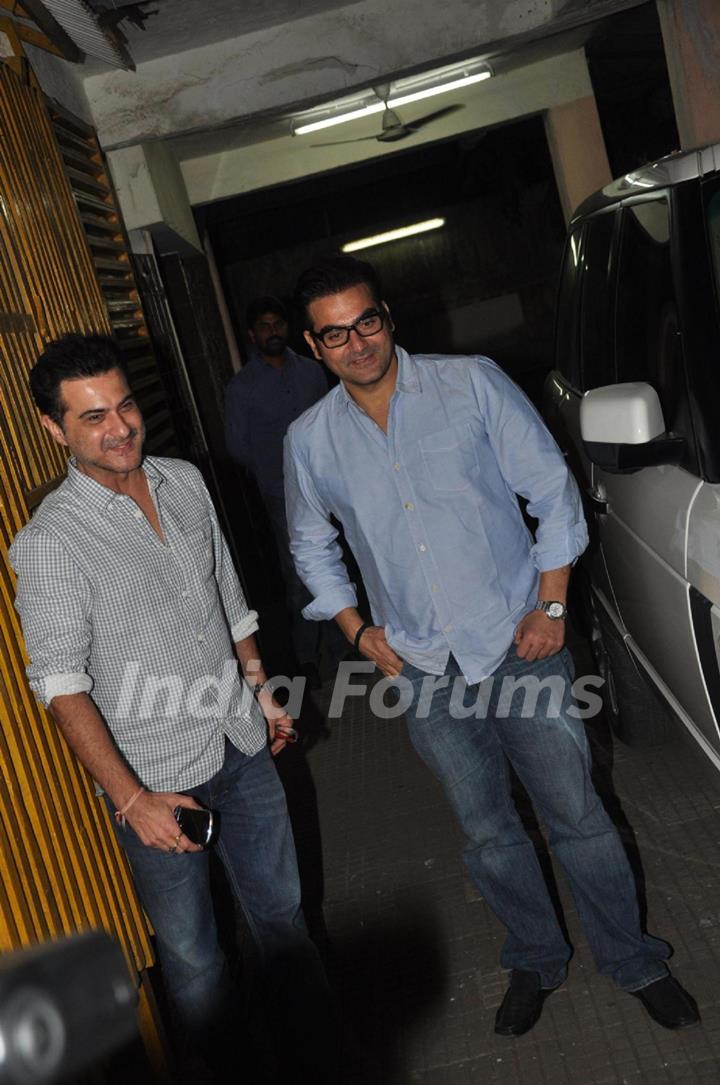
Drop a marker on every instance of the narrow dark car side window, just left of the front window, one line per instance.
(597, 360)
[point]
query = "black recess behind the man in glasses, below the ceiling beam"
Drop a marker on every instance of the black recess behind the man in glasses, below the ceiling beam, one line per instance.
(484, 284)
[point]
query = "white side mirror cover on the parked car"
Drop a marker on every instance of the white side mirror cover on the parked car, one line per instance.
(622, 415)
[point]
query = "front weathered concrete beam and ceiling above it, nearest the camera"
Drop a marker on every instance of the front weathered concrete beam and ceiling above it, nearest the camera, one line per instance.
(319, 56)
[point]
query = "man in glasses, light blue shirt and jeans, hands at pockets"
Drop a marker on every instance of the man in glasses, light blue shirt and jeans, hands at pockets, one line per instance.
(421, 459)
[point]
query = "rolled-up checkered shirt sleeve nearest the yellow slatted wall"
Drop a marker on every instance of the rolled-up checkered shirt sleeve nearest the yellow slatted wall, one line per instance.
(54, 602)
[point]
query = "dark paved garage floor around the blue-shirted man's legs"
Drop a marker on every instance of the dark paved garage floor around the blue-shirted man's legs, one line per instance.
(415, 950)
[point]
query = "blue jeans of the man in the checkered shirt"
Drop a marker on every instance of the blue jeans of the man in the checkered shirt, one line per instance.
(256, 848)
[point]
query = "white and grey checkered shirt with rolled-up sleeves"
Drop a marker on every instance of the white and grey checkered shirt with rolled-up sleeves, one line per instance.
(147, 628)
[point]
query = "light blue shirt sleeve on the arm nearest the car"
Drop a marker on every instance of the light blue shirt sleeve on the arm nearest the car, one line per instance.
(535, 468)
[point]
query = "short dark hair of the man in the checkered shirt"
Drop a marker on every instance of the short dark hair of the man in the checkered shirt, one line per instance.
(68, 360)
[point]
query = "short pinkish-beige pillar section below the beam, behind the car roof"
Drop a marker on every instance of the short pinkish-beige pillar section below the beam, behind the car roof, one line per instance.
(578, 152)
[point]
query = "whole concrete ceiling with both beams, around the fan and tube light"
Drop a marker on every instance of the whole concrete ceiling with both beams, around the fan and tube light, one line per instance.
(218, 83)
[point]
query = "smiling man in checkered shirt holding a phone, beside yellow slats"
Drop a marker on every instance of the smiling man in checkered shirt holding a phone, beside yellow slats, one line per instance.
(135, 622)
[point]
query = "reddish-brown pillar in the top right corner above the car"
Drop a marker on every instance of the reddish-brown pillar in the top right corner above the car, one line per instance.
(691, 33)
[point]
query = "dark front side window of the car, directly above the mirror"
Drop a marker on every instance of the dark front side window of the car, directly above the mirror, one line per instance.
(648, 335)
